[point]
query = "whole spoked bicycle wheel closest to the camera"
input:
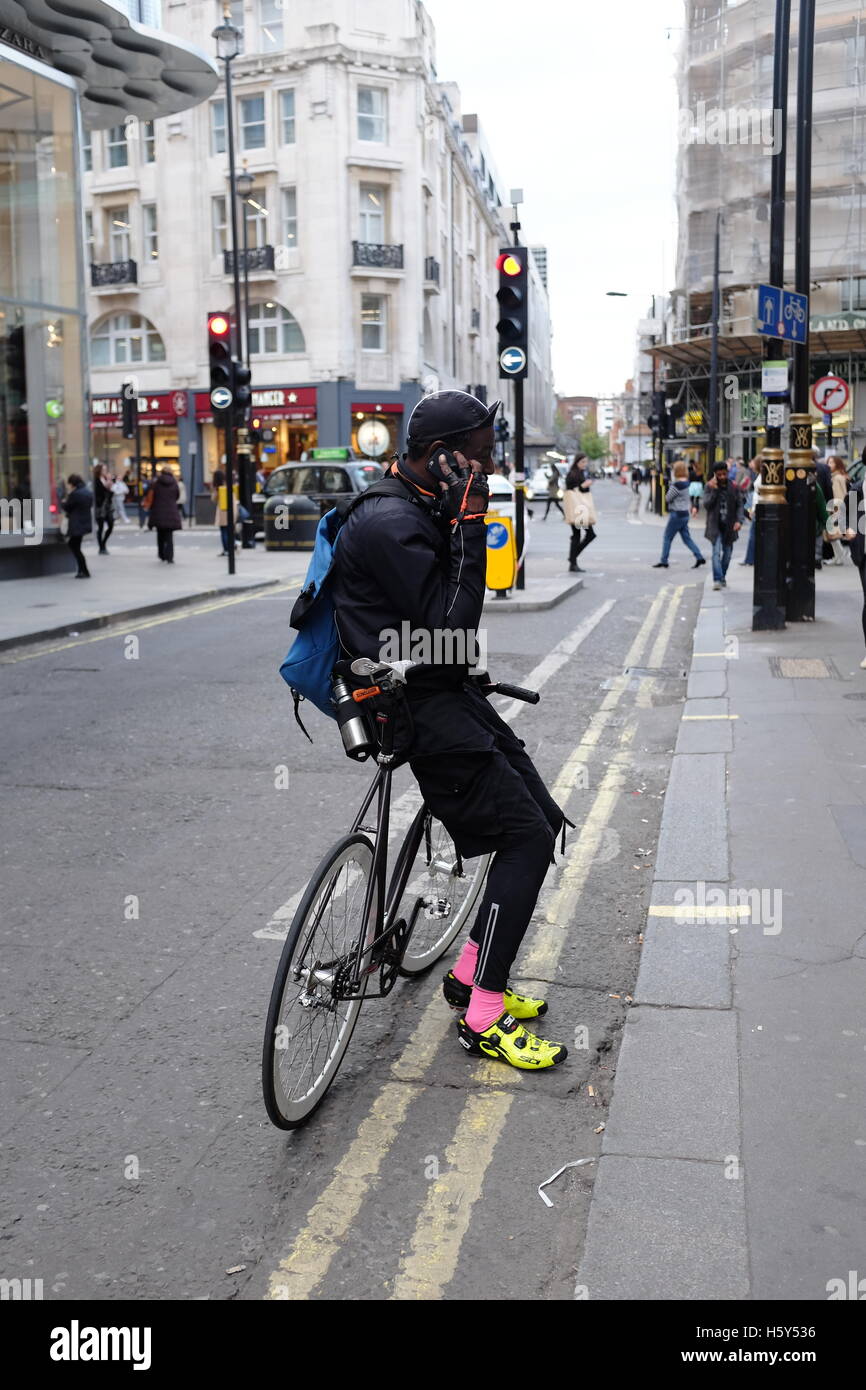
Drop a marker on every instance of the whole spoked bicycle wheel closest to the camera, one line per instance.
(308, 1029)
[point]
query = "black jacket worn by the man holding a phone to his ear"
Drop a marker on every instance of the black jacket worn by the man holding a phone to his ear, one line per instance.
(401, 571)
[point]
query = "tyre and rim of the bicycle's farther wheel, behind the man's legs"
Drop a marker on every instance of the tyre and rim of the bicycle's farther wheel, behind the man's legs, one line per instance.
(427, 946)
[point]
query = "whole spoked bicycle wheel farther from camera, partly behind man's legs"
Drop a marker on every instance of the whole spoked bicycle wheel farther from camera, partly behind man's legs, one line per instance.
(441, 892)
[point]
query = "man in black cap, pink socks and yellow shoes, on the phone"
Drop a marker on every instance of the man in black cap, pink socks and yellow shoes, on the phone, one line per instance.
(418, 565)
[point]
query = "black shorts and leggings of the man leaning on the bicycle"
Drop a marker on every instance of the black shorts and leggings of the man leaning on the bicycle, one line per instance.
(490, 797)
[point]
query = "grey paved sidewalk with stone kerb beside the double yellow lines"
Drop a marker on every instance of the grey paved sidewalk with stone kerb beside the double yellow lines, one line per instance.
(735, 1156)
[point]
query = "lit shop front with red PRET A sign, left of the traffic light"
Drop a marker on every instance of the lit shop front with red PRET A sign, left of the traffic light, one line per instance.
(156, 447)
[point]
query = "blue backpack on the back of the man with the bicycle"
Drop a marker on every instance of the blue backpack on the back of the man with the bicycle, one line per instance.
(316, 651)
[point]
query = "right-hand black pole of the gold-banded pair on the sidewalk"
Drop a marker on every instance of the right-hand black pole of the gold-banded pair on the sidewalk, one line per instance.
(801, 465)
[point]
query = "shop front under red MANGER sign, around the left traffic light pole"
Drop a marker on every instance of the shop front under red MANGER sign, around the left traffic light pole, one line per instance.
(284, 418)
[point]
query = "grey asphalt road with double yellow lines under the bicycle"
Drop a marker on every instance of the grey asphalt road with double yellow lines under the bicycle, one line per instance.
(148, 853)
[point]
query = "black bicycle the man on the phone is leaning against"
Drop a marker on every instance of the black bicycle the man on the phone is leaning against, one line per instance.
(355, 922)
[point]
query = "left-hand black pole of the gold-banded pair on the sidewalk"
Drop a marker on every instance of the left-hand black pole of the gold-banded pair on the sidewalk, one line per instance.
(771, 519)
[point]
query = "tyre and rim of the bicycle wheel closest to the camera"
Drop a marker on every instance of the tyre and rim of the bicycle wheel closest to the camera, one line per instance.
(284, 1110)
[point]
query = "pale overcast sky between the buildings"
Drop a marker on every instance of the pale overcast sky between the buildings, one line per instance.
(579, 105)
